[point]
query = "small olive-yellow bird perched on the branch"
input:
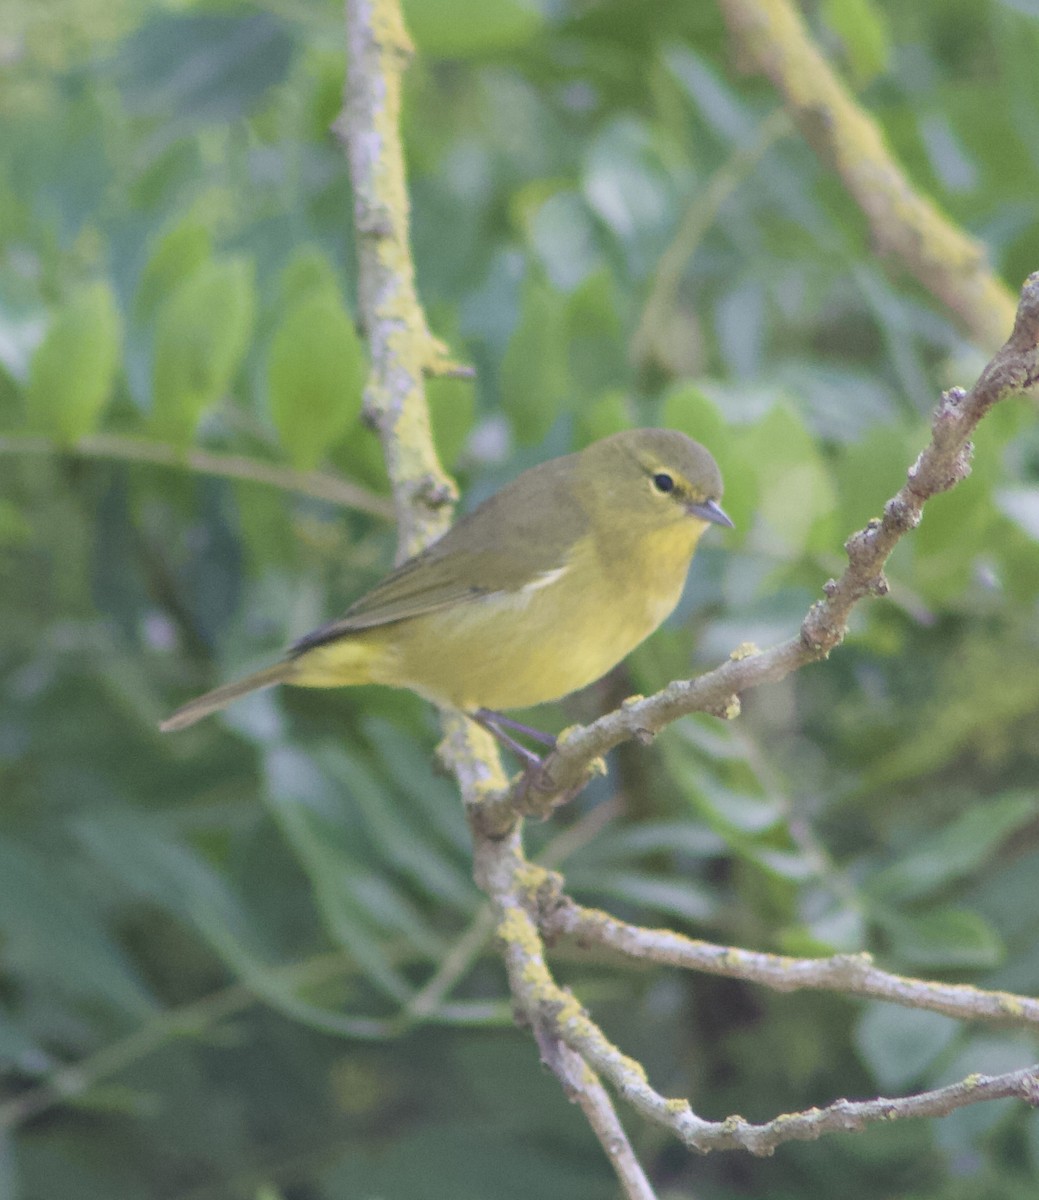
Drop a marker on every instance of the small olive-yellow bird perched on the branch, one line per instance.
(538, 592)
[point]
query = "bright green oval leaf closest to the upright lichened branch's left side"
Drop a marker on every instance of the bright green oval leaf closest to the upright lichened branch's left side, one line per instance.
(316, 377)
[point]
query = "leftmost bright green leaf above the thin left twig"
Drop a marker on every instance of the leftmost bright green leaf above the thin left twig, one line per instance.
(73, 373)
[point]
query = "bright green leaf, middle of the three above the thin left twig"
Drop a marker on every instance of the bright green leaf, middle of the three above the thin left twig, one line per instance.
(202, 334)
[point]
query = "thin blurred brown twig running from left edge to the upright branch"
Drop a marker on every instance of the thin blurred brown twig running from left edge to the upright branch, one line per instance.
(125, 448)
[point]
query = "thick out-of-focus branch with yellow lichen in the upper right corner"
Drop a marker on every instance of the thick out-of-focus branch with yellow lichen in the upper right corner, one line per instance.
(770, 37)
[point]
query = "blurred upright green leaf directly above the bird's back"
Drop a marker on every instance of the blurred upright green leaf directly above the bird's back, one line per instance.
(536, 377)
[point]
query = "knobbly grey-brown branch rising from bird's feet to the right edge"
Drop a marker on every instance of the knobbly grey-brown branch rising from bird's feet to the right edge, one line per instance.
(945, 463)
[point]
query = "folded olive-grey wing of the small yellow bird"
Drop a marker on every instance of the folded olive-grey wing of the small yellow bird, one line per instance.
(501, 548)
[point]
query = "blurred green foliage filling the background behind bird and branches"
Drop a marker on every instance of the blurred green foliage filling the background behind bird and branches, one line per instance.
(248, 961)
